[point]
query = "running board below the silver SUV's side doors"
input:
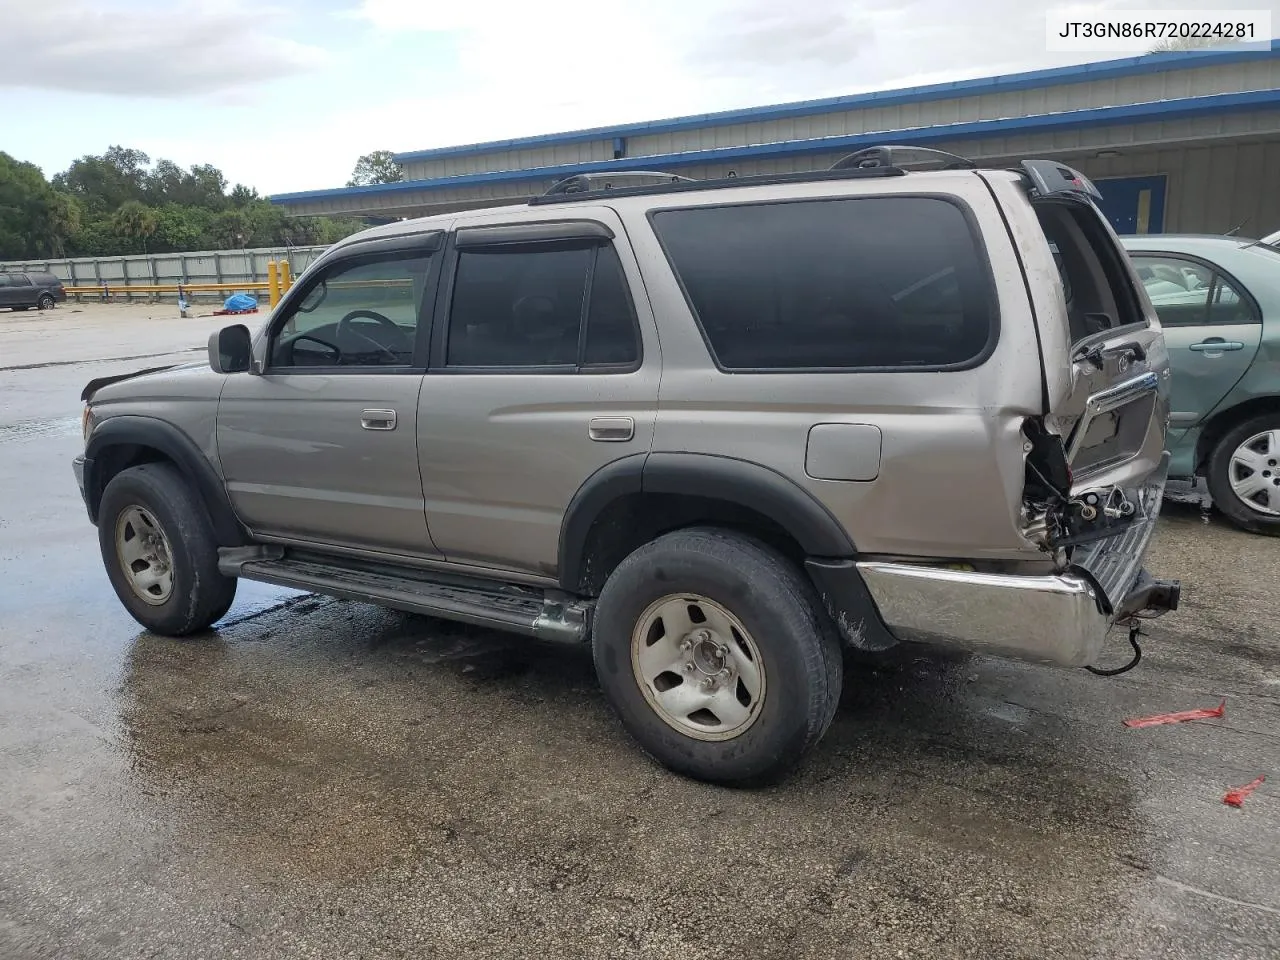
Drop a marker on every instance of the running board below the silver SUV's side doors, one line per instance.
(538, 614)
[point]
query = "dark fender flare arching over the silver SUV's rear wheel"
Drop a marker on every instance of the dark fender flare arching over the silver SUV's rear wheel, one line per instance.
(708, 476)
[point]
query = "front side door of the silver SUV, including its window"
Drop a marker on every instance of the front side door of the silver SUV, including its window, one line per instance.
(321, 446)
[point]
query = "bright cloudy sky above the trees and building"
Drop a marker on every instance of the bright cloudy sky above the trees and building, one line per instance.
(286, 94)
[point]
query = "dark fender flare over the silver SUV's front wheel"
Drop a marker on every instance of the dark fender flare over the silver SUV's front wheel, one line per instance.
(180, 449)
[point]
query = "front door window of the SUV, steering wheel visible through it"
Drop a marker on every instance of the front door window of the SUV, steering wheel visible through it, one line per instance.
(363, 313)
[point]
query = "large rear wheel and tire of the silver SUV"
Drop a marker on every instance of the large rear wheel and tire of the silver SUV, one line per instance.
(752, 600)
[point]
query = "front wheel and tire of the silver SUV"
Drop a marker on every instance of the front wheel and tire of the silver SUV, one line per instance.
(154, 501)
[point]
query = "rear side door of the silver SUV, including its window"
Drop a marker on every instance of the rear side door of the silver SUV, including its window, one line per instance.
(541, 377)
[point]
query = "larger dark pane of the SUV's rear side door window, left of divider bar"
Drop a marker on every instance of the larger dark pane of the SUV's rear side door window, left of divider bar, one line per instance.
(518, 308)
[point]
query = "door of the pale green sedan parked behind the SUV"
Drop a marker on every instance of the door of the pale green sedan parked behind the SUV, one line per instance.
(1213, 328)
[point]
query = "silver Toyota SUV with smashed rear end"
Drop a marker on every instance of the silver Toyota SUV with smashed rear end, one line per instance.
(719, 431)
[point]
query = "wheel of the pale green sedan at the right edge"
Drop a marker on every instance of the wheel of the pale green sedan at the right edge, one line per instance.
(1259, 441)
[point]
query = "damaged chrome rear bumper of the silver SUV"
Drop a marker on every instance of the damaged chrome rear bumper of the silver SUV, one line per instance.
(1063, 619)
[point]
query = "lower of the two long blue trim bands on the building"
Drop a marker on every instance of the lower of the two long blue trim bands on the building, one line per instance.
(973, 130)
